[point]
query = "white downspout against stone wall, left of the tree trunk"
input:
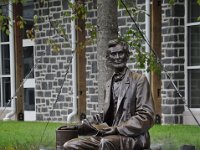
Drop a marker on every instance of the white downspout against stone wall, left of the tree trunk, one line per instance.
(74, 81)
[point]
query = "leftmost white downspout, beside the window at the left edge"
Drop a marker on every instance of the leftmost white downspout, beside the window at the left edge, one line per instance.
(12, 64)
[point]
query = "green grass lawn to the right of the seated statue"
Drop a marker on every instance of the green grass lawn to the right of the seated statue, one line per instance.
(172, 137)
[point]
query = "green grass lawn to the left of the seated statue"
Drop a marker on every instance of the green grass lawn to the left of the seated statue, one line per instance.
(27, 135)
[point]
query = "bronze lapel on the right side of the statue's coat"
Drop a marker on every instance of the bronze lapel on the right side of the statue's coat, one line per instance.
(123, 88)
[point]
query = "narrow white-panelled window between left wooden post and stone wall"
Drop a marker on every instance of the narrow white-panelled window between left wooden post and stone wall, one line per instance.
(28, 59)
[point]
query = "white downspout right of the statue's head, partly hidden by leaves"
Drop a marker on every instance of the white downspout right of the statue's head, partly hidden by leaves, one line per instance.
(148, 26)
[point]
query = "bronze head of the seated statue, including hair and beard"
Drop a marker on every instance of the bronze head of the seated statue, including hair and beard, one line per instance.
(117, 54)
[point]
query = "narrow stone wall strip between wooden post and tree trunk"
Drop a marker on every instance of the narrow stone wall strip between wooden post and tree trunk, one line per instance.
(91, 65)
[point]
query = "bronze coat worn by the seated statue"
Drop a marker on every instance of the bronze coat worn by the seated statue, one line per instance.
(135, 109)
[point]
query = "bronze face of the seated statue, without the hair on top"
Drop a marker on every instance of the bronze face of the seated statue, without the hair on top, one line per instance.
(117, 57)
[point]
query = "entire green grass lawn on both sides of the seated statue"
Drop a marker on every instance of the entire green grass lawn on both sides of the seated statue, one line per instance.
(27, 135)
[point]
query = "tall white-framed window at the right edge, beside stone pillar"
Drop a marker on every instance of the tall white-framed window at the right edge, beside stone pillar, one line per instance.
(192, 53)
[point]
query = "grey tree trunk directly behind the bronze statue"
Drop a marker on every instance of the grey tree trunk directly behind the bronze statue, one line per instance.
(107, 28)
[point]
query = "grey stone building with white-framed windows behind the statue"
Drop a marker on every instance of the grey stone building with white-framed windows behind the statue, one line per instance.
(42, 98)
